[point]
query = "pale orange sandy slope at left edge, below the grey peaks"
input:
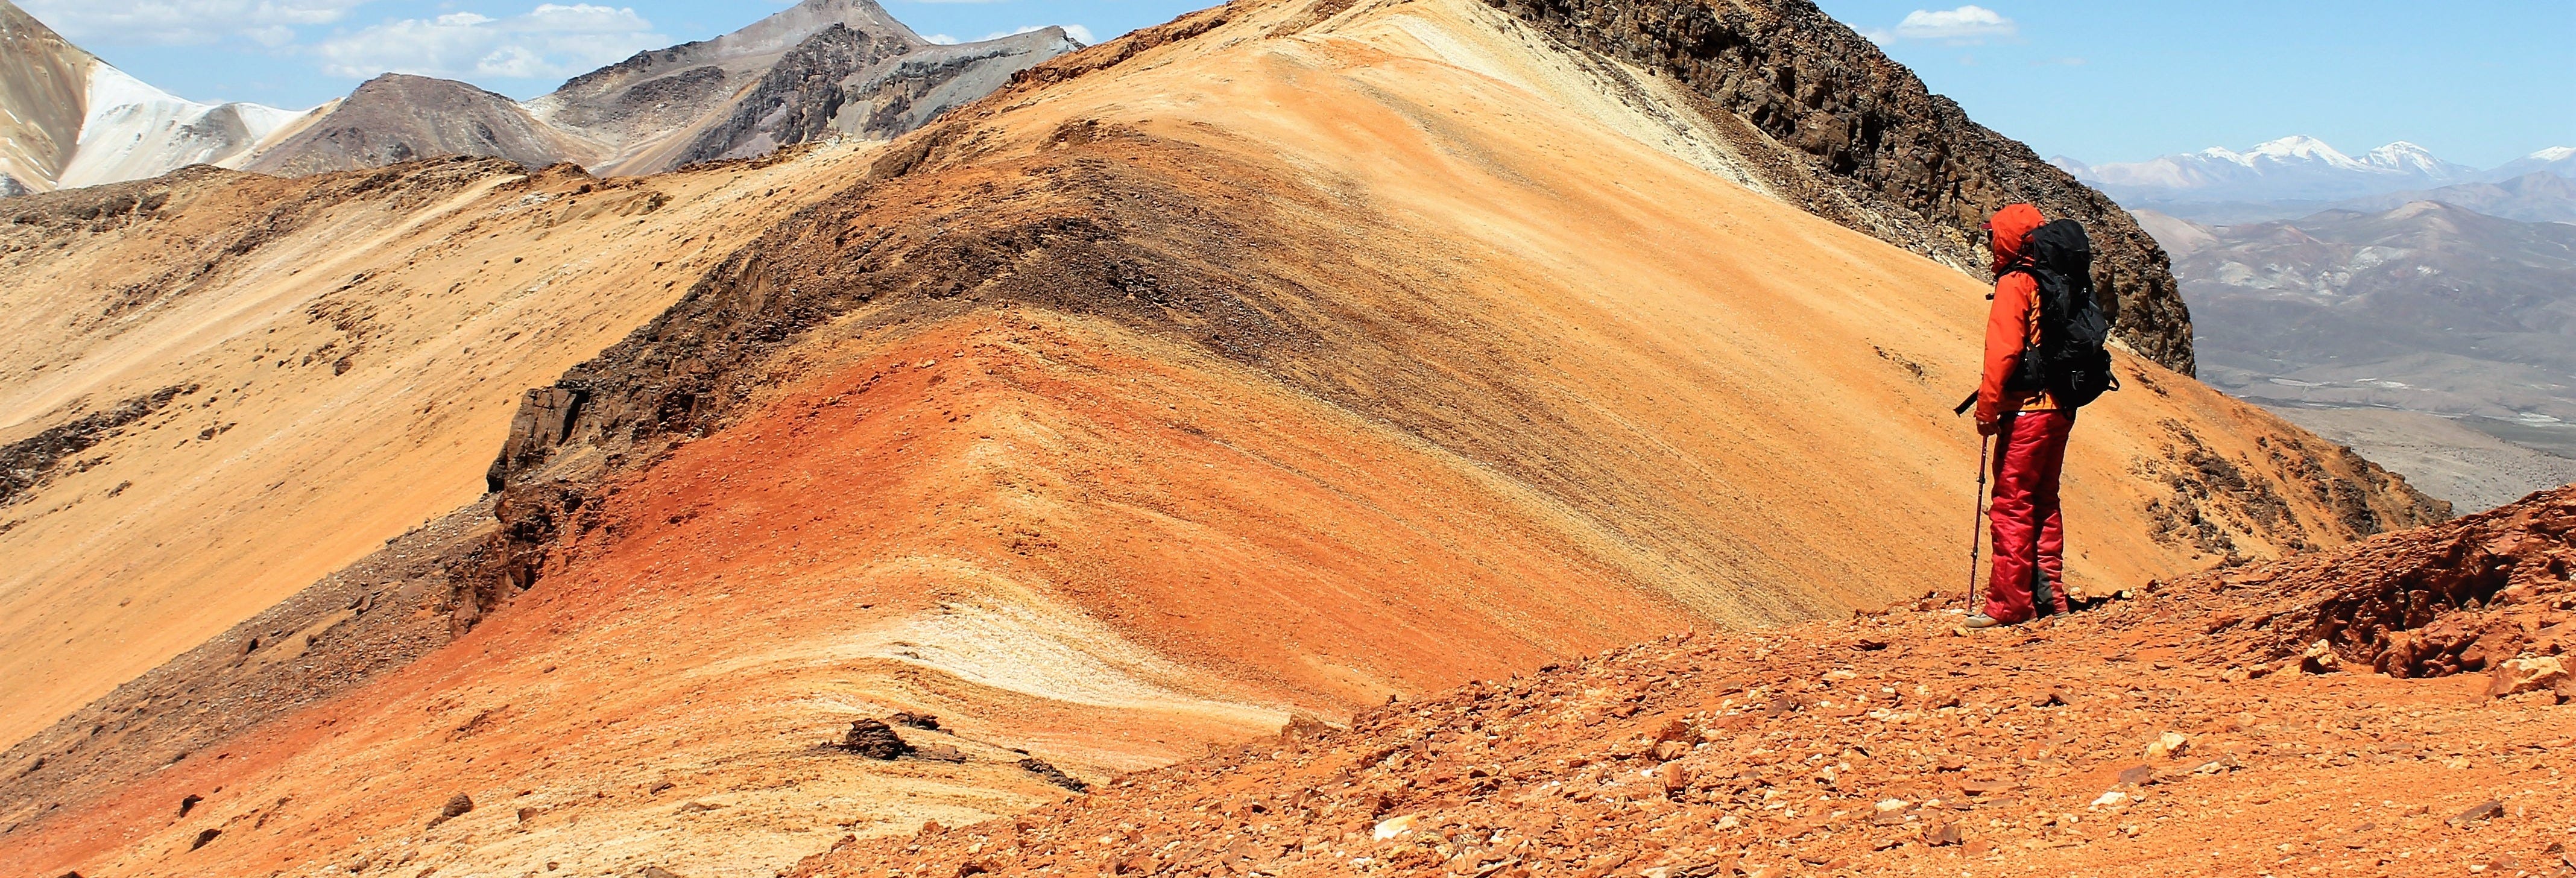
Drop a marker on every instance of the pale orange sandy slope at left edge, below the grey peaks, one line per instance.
(354, 377)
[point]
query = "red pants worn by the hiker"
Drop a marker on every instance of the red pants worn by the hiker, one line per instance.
(2029, 529)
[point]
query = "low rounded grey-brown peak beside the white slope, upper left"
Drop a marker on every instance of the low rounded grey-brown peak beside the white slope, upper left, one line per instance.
(398, 120)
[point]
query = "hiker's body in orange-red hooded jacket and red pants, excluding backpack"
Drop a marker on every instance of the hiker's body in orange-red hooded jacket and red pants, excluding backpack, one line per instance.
(2029, 434)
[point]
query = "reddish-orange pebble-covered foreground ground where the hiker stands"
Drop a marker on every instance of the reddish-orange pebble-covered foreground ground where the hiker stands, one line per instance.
(2170, 733)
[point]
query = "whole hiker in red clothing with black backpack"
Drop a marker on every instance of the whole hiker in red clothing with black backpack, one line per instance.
(2044, 359)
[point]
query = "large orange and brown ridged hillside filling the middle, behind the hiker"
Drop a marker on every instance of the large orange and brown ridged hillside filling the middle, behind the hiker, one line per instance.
(1274, 362)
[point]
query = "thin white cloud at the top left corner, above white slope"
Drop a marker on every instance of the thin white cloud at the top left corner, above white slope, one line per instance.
(187, 22)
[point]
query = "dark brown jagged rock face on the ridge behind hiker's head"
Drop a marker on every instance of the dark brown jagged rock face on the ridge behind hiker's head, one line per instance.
(1856, 138)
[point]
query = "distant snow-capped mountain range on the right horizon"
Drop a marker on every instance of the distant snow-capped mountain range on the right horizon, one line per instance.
(2297, 176)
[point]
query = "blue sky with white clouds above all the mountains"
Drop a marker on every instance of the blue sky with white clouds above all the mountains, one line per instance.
(2477, 84)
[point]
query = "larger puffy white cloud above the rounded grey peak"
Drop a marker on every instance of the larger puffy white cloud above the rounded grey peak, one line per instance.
(547, 42)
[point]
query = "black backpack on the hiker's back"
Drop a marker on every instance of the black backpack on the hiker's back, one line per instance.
(2067, 359)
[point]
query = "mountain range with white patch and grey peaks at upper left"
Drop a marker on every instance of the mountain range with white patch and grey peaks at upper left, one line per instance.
(813, 71)
